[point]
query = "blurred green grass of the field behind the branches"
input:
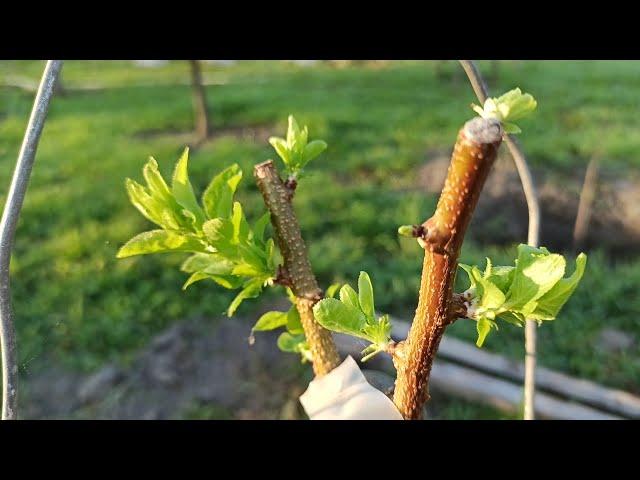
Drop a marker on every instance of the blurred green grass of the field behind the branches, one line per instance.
(74, 301)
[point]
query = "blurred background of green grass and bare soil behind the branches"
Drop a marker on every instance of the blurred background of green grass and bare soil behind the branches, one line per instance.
(106, 338)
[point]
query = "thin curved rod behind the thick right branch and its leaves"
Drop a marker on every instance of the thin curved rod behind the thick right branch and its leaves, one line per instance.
(533, 236)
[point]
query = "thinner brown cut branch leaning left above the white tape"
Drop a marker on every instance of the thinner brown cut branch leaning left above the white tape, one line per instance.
(296, 268)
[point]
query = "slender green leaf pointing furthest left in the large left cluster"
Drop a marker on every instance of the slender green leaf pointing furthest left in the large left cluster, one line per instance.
(160, 241)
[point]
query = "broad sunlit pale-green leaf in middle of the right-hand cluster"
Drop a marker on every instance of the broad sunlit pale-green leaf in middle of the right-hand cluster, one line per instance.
(537, 271)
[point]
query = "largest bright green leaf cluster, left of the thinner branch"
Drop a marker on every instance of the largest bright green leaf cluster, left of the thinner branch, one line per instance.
(224, 247)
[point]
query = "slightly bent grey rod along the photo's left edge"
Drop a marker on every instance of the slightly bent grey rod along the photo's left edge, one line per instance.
(8, 224)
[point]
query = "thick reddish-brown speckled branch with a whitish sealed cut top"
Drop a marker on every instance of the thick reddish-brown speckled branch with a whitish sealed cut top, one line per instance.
(474, 154)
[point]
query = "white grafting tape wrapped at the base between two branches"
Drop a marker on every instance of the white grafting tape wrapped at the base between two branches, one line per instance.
(345, 394)
